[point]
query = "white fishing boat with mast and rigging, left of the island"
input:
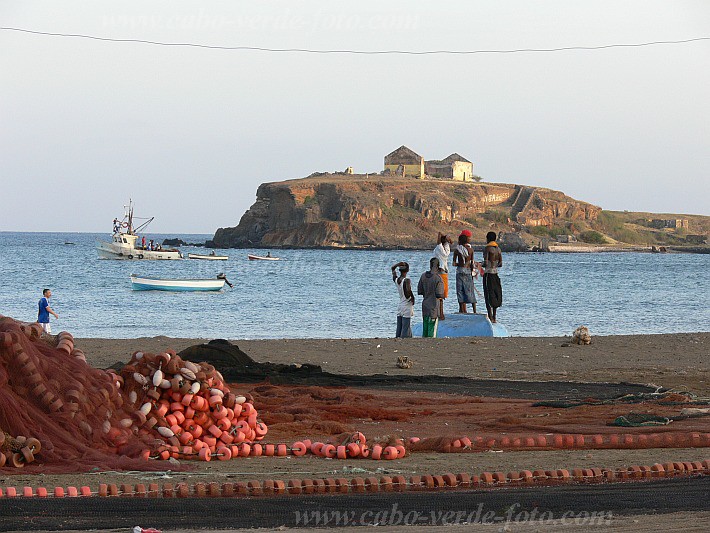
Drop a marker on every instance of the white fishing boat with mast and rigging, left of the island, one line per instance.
(123, 242)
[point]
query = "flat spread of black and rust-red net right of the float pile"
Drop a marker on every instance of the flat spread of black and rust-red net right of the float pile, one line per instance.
(300, 401)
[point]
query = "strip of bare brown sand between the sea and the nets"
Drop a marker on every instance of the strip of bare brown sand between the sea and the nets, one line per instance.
(667, 360)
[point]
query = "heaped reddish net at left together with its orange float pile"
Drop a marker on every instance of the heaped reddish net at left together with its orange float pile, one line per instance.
(58, 412)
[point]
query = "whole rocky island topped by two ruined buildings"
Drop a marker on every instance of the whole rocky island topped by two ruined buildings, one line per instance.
(411, 200)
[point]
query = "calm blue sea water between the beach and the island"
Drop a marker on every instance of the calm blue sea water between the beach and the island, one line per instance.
(334, 293)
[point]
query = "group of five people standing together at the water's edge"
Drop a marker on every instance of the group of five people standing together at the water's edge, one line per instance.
(433, 285)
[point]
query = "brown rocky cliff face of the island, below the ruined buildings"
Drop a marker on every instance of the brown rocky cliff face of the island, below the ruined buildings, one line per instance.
(358, 211)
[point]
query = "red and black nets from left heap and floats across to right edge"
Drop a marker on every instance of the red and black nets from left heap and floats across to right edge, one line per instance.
(58, 414)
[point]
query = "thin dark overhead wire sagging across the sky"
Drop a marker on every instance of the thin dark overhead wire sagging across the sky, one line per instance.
(356, 52)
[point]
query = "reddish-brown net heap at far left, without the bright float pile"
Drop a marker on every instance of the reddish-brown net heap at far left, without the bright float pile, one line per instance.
(75, 411)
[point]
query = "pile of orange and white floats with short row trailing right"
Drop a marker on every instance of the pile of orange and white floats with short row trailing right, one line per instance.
(199, 417)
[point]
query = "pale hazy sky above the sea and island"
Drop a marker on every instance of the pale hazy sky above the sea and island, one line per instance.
(189, 133)
